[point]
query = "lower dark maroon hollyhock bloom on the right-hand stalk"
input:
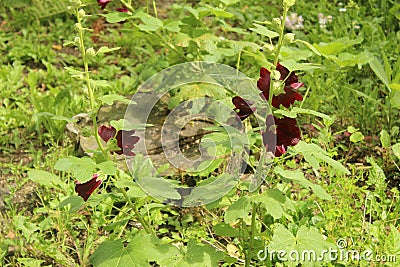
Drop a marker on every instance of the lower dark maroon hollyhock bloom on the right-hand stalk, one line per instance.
(287, 134)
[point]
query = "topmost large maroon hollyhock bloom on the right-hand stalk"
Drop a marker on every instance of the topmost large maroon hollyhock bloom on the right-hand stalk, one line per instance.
(291, 85)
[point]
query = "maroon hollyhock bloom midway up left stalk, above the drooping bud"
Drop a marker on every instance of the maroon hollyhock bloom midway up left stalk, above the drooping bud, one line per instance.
(108, 132)
